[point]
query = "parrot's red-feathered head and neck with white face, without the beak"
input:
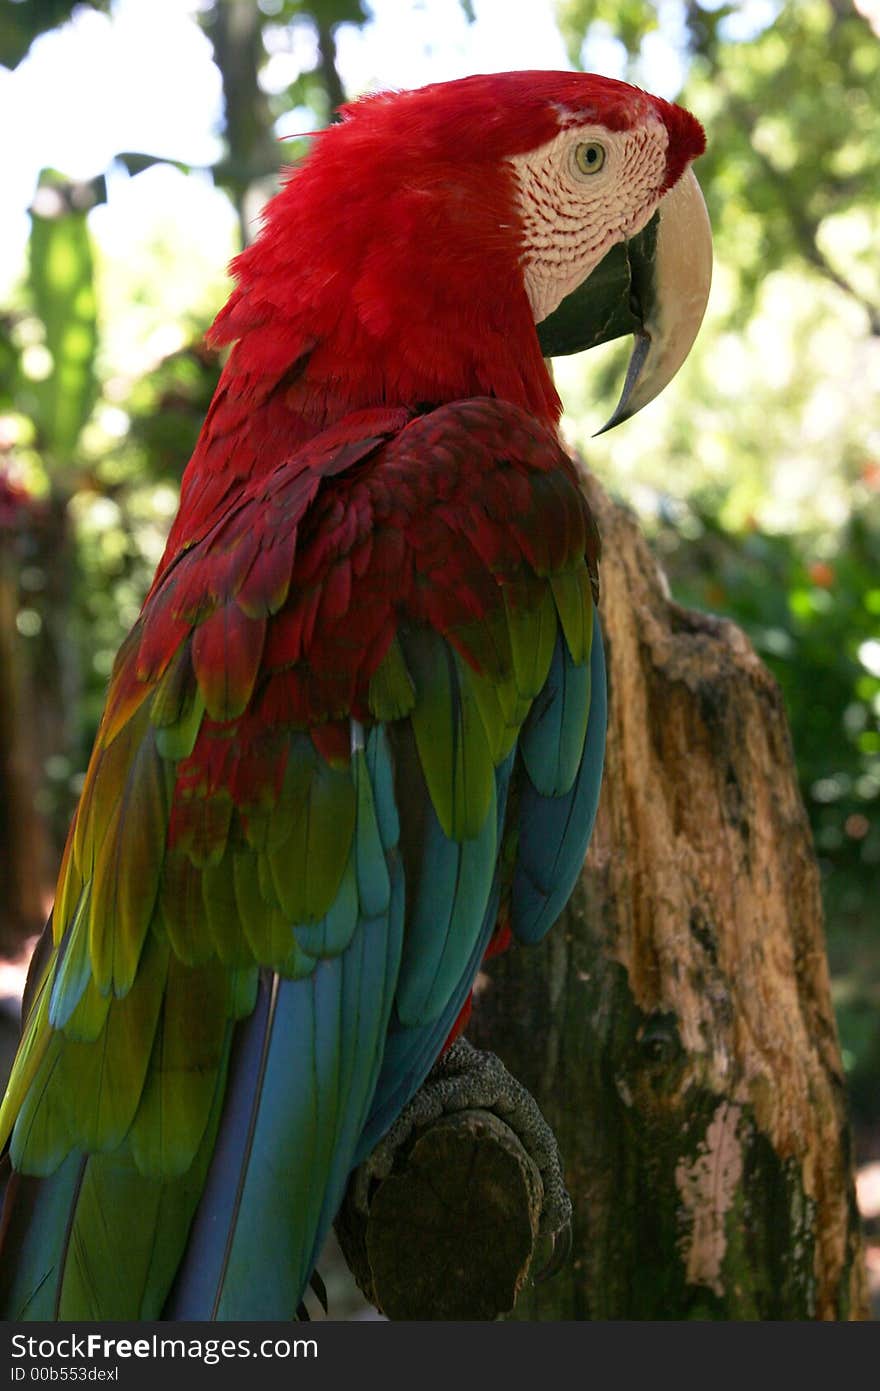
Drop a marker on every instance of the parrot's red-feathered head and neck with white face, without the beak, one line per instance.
(394, 266)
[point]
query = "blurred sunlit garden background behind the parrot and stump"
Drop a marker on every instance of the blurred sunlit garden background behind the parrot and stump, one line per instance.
(140, 140)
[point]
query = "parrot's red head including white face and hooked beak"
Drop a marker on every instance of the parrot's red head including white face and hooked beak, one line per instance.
(443, 243)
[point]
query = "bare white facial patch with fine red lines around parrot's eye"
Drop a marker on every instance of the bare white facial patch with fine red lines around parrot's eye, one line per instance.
(572, 219)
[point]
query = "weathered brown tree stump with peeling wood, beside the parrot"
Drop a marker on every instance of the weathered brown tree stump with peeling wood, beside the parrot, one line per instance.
(676, 1026)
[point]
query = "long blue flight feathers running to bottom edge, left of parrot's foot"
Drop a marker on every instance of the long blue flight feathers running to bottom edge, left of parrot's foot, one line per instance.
(302, 1079)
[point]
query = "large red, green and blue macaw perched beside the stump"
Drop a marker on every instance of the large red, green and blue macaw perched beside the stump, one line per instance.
(354, 742)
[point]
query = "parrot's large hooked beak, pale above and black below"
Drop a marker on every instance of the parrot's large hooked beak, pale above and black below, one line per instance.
(654, 286)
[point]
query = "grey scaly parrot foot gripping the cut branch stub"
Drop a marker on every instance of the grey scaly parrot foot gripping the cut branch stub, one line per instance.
(469, 1080)
